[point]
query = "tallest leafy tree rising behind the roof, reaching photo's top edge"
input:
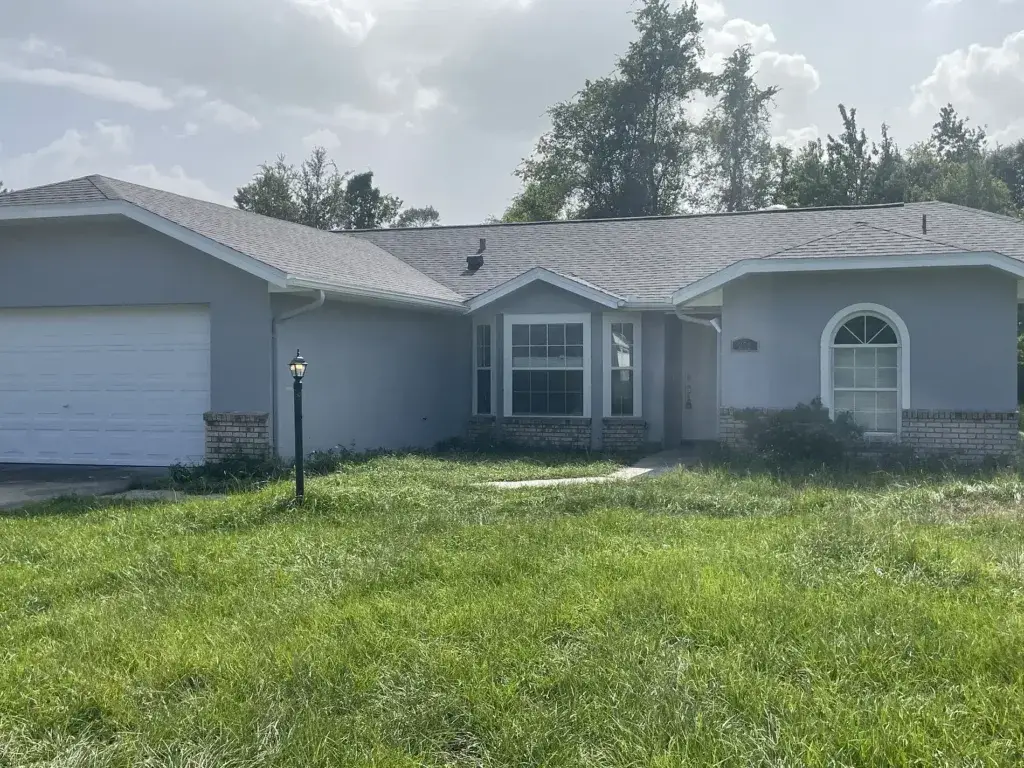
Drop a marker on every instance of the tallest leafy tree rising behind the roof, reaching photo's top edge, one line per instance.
(623, 145)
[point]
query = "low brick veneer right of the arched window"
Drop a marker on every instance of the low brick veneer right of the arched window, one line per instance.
(970, 435)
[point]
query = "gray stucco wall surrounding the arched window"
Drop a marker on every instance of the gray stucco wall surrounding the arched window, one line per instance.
(962, 321)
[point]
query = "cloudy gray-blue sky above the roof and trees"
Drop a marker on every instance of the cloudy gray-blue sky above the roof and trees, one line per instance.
(442, 98)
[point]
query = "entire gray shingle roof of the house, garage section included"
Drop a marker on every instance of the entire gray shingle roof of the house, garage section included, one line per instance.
(644, 261)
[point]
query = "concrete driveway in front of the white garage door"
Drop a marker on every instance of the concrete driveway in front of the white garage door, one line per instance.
(24, 484)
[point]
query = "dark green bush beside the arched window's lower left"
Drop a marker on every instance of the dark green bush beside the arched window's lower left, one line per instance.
(806, 434)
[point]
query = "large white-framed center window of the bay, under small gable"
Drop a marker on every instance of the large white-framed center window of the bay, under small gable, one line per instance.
(547, 365)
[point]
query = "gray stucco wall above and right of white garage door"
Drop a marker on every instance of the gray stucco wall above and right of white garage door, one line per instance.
(116, 262)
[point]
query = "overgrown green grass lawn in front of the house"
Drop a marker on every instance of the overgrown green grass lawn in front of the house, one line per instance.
(406, 617)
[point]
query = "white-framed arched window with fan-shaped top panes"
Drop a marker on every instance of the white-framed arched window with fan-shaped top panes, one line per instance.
(865, 356)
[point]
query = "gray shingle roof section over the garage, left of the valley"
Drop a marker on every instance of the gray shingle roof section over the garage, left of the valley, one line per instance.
(298, 251)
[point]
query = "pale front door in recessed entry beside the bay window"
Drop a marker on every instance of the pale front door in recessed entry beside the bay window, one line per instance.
(701, 371)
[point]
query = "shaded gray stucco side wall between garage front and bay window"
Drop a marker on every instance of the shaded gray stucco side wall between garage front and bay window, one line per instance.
(378, 377)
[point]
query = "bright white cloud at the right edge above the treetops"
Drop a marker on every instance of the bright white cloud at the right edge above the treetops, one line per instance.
(987, 82)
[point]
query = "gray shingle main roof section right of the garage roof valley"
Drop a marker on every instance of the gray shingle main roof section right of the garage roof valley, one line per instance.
(648, 261)
